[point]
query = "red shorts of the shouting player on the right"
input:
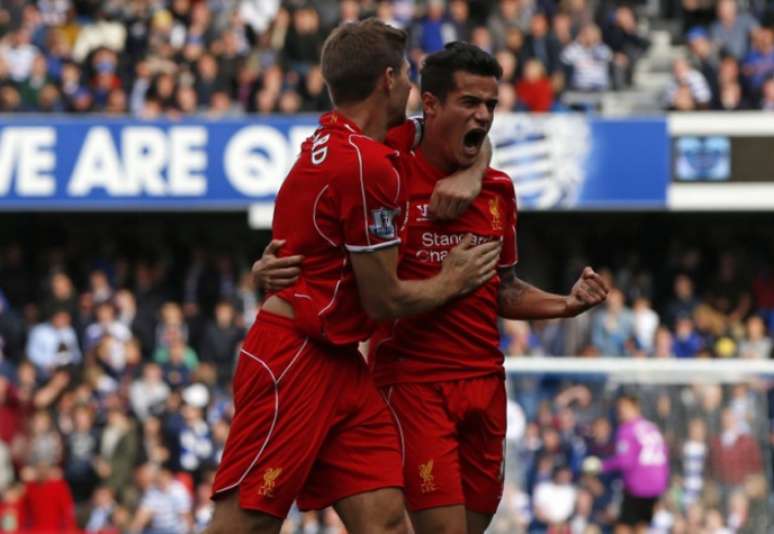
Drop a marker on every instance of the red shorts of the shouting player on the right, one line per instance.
(454, 438)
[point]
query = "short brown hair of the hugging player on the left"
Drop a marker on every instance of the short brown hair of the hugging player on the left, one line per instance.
(356, 54)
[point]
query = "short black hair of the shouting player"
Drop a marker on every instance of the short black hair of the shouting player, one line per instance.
(439, 68)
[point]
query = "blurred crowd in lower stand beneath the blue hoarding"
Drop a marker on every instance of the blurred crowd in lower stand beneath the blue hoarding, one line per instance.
(115, 400)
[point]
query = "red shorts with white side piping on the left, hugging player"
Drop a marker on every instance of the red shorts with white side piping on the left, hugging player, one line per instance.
(309, 424)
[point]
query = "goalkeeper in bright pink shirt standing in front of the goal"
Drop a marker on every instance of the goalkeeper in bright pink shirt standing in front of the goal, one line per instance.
(642, 459)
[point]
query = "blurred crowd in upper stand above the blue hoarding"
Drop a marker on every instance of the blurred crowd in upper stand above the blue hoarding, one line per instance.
(152, 58)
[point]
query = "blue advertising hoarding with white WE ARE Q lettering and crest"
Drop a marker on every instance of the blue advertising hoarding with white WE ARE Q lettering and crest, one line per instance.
(557, 161)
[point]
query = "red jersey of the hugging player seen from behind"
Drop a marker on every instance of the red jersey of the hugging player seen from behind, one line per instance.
(343, 195)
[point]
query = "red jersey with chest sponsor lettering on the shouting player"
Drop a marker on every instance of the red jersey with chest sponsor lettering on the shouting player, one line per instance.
(461, 339)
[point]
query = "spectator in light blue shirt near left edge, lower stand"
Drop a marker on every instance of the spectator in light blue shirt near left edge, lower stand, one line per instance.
(54, 343)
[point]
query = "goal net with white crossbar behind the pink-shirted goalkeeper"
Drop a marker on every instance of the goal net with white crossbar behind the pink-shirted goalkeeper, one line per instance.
(716, 417)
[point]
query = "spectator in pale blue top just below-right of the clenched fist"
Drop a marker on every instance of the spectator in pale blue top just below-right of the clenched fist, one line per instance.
(613, 326)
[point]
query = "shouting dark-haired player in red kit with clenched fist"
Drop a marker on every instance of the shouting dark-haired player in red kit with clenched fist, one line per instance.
(442, 372)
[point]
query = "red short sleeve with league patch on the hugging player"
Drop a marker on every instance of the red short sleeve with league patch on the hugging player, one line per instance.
(369, 199)
